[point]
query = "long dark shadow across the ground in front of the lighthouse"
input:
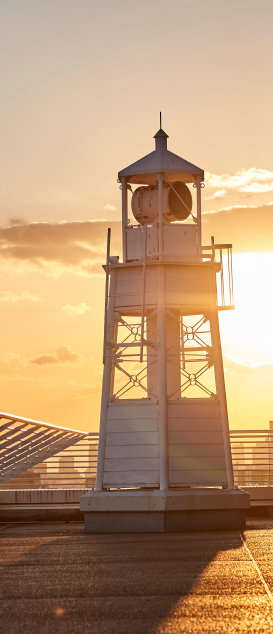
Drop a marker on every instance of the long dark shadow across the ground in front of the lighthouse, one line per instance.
(57, 579)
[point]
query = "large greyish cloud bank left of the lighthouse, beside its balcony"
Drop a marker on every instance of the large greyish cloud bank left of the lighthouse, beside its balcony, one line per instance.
(76, 247)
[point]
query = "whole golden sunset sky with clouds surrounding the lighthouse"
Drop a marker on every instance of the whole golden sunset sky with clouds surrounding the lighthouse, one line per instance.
(82, 83)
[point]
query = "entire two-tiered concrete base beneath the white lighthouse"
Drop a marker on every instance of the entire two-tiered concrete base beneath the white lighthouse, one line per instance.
(164, 511)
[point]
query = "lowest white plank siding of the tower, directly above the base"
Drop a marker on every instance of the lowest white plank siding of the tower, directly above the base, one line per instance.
(196, 449)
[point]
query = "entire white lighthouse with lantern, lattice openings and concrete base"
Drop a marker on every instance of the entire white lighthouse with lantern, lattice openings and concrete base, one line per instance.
(164, 460)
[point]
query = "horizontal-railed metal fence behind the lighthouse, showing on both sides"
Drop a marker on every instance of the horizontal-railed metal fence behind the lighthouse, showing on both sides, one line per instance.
(75, 467)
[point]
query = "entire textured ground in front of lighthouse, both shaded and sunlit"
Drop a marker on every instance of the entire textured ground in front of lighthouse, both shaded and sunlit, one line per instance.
(55, 579)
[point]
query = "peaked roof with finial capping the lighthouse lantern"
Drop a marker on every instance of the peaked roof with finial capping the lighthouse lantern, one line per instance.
(161, 160)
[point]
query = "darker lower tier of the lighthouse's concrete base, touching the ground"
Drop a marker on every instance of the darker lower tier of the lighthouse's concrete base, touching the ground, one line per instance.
(165, 522)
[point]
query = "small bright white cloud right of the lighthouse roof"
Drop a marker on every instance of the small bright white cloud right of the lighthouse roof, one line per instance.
(253, 180)
